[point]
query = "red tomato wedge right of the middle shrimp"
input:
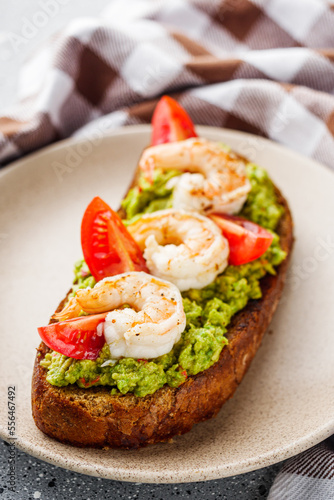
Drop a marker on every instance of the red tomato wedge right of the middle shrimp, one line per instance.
(247, 240)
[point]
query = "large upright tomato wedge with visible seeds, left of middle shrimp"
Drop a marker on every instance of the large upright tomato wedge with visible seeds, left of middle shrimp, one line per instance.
(107, 246)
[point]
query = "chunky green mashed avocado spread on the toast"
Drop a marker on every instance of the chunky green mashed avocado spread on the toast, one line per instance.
(208, 311)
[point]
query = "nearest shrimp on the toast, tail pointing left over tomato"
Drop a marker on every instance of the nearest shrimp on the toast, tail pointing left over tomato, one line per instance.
(148, 328)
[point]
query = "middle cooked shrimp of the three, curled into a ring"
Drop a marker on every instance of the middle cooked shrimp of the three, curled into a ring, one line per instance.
(184, 248)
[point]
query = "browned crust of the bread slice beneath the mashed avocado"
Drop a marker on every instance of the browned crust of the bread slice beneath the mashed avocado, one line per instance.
(95, 418)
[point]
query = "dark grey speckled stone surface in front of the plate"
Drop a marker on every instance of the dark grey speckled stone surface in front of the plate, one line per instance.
(39, 480)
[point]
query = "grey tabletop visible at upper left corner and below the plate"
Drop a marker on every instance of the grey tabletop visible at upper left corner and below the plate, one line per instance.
(36, 479)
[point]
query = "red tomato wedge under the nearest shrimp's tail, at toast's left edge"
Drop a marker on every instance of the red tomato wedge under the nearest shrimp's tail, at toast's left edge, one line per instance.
(76, 338)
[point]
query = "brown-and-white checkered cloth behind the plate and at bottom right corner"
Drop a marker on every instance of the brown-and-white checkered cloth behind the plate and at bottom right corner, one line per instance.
(262, 66)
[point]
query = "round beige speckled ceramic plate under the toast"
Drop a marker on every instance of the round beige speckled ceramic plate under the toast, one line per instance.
(284, 404)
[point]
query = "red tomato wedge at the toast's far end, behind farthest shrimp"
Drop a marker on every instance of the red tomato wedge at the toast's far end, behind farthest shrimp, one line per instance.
(170, 122)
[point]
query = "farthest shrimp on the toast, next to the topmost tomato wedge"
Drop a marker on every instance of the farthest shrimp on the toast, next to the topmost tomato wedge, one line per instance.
(214, 180)
